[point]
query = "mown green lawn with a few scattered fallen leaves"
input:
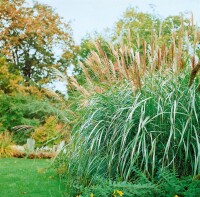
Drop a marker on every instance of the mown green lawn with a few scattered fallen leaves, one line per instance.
(25, 177)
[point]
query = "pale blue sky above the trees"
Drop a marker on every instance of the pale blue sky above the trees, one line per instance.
(95, 15)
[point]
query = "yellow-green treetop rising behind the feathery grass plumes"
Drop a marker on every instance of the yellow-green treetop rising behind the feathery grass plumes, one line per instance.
(135, 27)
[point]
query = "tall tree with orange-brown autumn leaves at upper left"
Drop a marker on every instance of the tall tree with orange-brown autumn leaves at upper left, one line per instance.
(30, 35)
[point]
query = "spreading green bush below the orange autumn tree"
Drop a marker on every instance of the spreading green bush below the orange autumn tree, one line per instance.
(16, 110)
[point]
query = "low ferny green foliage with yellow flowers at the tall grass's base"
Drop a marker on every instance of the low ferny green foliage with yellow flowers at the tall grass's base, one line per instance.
(165, 184)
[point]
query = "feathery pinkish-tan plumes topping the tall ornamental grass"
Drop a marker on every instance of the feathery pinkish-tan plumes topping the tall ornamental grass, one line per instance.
(127, 63)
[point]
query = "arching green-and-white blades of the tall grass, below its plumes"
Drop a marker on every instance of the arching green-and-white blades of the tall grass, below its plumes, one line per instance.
(154, 129)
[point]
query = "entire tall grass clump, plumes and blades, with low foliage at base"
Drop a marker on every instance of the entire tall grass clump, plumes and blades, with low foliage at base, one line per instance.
(141, 113)
